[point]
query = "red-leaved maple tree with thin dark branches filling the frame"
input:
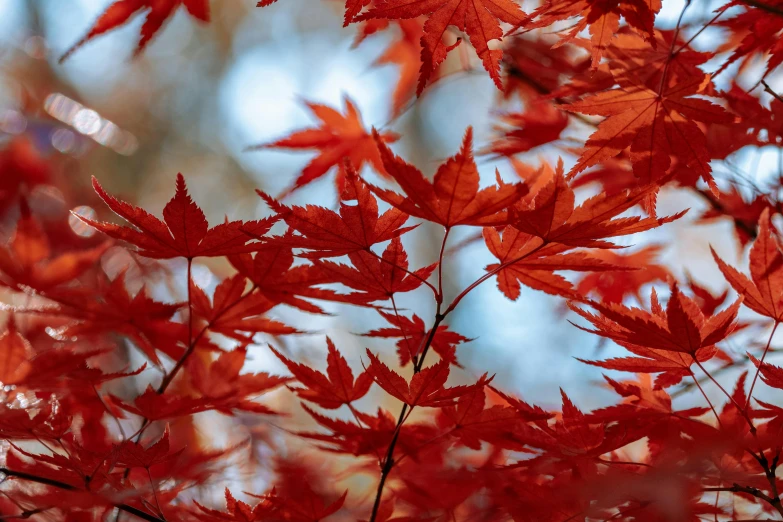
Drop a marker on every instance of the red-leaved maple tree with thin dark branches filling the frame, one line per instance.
(638, 109)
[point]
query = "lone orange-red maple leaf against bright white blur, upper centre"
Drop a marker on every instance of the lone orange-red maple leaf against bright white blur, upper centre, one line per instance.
(339, 137)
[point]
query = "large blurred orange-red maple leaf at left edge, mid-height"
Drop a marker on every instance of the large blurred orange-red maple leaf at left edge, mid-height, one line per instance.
(27, 260)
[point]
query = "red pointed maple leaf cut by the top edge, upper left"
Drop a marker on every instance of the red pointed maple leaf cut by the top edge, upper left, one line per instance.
(121, 11)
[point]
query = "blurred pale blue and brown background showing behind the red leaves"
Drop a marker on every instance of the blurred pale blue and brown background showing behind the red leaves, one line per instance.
(202, 93)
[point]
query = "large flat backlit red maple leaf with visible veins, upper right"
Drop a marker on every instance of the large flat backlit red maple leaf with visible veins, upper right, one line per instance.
(656, 125)
